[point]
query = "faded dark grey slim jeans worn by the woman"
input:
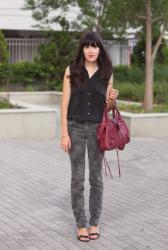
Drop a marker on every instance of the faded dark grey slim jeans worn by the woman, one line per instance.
(83, 134)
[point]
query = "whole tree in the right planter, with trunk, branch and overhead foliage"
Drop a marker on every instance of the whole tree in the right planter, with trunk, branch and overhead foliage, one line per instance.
(118, 15)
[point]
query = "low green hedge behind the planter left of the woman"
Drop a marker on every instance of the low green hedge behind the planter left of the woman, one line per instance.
(30, 76)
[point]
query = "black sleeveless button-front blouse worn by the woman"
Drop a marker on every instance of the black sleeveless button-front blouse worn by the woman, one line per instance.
(87, 102)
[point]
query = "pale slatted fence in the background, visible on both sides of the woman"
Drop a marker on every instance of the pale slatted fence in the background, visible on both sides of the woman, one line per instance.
(25, 49)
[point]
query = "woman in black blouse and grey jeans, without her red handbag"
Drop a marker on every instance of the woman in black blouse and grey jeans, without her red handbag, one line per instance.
(87, 85)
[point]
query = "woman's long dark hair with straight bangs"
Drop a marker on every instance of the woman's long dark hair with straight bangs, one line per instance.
(103, 61)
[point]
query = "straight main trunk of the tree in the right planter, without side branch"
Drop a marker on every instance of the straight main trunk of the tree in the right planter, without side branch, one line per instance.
(148, 95)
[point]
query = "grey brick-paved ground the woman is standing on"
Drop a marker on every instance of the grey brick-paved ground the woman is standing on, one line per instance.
(35, 211)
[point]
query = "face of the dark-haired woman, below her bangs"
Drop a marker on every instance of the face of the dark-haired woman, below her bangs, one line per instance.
(91, 52)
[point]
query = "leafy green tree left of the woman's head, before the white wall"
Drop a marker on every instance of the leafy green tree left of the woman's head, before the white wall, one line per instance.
(56, 55)
